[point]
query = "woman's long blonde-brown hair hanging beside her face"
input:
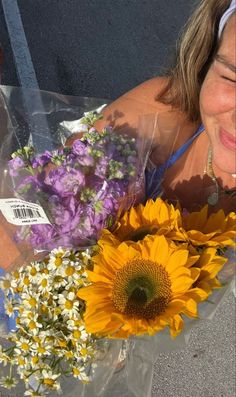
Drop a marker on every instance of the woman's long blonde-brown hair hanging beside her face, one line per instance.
(195, 52)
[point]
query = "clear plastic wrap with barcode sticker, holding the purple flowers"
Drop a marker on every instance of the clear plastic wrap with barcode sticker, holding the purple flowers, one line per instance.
(78, 193)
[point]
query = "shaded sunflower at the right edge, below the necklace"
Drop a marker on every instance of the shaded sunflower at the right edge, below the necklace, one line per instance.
(197, 228)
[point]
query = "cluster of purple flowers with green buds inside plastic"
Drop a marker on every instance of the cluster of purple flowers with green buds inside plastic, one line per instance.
(81, 188)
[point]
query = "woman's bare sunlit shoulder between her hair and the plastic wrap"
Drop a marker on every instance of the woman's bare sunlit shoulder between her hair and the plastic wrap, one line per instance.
(140, 100)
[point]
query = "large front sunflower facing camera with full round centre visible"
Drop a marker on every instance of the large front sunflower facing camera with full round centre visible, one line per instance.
(140, 289)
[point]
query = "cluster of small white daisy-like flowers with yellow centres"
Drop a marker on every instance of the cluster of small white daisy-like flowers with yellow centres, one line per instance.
(50, 339)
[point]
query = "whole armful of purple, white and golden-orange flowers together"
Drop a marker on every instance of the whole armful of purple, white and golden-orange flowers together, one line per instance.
(112, 268)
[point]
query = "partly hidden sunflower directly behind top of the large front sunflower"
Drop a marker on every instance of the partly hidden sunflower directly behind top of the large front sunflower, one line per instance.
(155, 217)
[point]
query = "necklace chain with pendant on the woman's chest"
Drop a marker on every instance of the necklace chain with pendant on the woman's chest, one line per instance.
(213, 198)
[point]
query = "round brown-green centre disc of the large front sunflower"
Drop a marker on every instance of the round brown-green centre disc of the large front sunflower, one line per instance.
(141, 289)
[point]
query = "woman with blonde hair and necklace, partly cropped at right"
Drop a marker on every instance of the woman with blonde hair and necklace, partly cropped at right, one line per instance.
(201, 88)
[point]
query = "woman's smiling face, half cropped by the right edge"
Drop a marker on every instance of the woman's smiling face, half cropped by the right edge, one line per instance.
(218, 101)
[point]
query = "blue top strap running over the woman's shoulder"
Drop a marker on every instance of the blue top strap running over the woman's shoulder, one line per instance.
(155, 176)
